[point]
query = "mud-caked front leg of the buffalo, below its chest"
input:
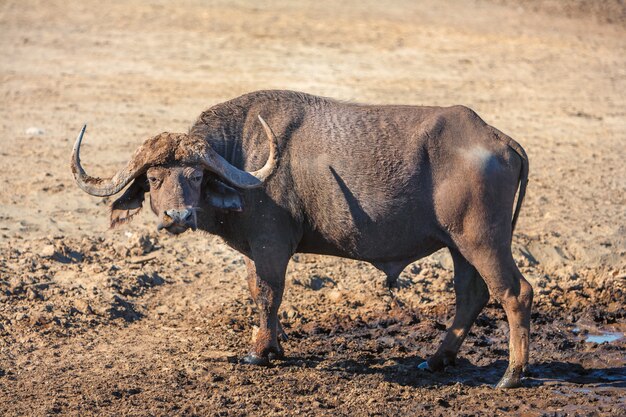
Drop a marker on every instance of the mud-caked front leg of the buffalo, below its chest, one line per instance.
(266, 280)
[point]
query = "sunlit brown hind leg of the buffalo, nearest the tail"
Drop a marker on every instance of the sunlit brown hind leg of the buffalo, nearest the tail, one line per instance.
(509, 287)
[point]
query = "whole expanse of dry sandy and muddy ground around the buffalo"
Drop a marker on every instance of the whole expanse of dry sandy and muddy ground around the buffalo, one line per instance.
(131, 322)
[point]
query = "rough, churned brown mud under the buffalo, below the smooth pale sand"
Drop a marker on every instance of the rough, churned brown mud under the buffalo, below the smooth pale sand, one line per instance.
(153, 333)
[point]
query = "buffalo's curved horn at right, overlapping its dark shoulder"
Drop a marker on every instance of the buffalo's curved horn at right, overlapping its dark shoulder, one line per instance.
(244, 179)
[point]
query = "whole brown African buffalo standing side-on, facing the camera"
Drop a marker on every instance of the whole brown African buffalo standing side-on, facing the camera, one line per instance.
(382, 184)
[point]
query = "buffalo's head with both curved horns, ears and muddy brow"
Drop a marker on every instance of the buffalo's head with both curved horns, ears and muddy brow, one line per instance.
(181, 172)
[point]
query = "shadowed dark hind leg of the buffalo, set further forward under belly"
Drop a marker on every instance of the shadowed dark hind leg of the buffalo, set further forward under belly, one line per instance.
(471, 297)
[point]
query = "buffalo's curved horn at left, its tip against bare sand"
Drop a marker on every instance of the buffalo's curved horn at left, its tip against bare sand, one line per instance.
(100, 187)
